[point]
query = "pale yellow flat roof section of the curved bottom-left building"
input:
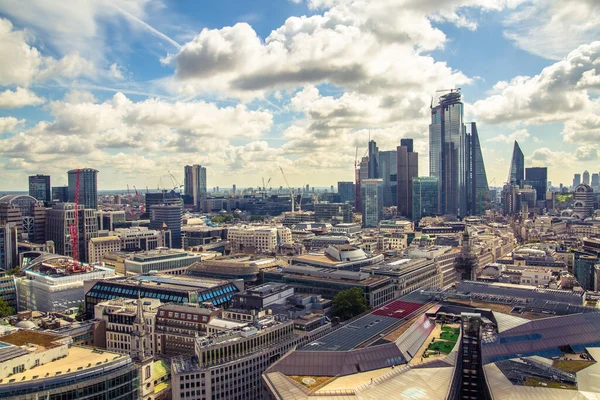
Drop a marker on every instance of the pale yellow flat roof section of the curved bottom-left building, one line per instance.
(78, 359)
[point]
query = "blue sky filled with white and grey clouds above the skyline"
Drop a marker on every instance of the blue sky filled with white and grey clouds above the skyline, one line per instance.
(140, 88)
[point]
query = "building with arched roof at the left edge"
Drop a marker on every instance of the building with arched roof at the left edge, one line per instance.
(27, 213)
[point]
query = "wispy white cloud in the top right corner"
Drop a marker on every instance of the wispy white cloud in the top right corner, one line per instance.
(552, 28)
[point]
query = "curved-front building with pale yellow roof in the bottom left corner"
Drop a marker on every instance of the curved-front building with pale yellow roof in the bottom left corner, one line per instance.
(41, 365)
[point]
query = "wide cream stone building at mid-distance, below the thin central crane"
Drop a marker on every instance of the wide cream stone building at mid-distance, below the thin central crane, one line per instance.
(261, 239)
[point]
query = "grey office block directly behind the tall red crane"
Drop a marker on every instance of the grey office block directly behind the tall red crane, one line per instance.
(58, 221)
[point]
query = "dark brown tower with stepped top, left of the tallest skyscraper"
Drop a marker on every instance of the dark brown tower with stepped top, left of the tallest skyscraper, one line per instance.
(408, 169)
